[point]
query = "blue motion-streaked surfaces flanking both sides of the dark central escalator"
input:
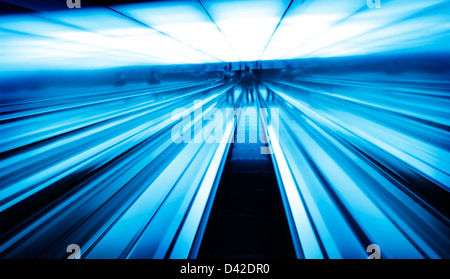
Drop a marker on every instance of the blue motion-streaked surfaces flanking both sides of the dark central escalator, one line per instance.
(367, 163)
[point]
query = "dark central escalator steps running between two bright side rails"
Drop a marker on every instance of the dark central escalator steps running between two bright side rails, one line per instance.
(247, 219)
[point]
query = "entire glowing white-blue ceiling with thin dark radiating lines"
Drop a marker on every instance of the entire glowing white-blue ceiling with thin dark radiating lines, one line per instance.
(93, 38)
